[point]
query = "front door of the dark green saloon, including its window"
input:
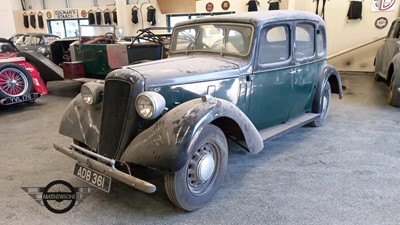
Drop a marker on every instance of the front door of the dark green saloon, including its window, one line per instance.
(271, 89)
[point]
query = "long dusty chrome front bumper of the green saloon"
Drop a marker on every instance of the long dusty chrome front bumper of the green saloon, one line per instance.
(110, 171)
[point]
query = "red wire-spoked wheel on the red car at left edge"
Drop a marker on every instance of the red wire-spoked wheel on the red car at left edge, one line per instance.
(14, 81)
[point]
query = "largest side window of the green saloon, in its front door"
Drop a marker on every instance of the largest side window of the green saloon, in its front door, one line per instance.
(274, 45)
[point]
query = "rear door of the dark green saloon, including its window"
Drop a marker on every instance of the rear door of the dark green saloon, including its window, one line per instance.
(307, 66)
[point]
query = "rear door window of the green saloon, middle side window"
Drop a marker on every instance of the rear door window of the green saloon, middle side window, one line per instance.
(304, 42)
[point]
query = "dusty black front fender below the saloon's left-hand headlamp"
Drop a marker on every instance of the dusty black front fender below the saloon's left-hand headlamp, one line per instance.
(82, 122)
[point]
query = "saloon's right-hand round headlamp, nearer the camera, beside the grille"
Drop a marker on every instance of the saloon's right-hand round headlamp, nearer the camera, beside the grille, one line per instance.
(150, 105)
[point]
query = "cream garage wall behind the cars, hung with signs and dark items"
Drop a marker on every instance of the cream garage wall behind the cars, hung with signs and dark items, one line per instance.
(342, 33)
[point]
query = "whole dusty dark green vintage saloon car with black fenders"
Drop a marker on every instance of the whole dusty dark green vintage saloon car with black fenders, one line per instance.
(249, 77)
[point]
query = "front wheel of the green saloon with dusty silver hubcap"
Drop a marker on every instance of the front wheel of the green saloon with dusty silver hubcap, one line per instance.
(195, 184)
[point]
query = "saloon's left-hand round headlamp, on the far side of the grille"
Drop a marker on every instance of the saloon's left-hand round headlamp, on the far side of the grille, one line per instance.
(92, 92)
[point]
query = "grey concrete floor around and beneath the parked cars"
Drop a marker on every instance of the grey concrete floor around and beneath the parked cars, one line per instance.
(346, 172)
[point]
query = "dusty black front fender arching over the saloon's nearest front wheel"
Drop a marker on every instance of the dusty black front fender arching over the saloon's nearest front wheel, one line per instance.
(166, 144)
